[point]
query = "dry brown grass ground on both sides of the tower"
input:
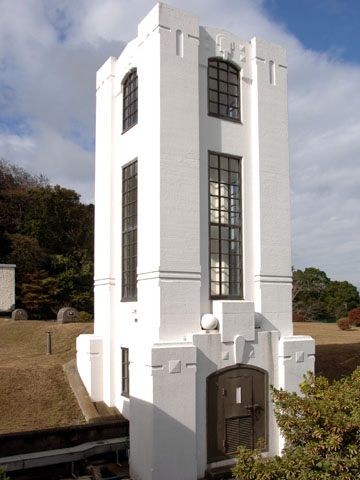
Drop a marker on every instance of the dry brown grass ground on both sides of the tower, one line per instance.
(34, 392)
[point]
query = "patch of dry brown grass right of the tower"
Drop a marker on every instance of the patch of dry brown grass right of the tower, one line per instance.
(337, 351)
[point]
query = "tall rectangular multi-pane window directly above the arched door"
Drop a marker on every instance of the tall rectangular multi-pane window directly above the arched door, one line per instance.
(225, 241)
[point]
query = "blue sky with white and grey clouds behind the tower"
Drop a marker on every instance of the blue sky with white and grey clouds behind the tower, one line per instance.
(50, 52)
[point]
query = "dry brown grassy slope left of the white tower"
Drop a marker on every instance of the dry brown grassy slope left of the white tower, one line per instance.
(34, 392)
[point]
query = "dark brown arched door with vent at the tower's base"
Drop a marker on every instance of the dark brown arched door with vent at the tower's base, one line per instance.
(236, 410)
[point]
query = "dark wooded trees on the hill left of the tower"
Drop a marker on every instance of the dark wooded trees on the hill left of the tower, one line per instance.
(48, 233)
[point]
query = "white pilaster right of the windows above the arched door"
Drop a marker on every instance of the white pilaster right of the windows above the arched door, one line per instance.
(271, 192)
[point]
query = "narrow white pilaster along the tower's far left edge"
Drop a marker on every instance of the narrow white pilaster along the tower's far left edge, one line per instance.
(104, 220)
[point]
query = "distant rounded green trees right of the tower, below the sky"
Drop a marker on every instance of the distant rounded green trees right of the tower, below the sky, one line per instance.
(317, 297)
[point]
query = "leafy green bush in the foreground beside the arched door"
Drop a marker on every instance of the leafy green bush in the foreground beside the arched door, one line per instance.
(321, 431)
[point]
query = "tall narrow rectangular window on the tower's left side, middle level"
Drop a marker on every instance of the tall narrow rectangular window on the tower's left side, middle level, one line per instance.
(129, 232)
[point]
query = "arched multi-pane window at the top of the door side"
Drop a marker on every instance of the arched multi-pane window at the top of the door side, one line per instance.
(223, 89)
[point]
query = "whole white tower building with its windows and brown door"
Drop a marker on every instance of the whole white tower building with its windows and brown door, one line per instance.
(193, 317)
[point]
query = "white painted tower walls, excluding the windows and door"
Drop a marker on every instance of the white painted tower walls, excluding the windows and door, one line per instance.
(170, 355)
